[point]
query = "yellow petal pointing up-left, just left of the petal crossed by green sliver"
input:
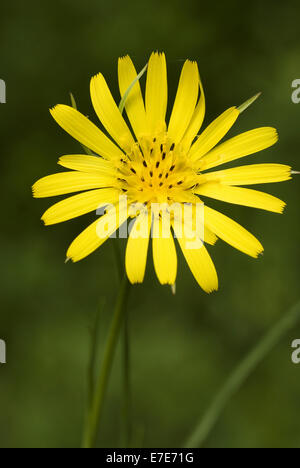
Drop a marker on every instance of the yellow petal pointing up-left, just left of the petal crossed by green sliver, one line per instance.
(108, 112)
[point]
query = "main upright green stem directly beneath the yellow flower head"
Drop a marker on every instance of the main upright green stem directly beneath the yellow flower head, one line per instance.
(96, 408)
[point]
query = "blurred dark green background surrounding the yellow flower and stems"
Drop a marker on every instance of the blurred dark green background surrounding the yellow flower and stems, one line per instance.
(183, 347)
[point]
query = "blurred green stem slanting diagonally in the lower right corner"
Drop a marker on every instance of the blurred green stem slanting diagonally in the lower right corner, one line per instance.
(240, 374)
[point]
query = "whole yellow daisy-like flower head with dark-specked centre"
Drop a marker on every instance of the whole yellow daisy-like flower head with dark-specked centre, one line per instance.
(159, 163)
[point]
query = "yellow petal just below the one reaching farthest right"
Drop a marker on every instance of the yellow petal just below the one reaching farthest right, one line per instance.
(242, 196)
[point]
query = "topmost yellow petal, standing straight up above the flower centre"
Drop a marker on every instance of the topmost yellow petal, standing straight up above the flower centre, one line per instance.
(156, 93)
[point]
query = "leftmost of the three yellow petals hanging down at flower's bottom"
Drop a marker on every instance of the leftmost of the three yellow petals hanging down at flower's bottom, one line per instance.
(137, 248)
